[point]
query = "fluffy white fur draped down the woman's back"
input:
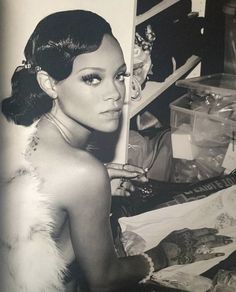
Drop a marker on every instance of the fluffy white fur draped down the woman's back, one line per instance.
(29, 258)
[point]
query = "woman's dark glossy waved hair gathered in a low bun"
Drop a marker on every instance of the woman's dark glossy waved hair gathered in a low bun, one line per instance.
(53, 46)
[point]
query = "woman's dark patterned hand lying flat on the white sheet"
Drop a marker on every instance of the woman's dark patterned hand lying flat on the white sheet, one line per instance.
(187, 246)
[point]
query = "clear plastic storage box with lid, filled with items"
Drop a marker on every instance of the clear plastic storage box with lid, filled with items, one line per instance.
(203, 128)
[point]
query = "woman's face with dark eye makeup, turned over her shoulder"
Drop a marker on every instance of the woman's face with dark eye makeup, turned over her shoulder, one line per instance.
(93, 94)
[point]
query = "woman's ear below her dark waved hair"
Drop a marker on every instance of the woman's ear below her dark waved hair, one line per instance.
(47, 83)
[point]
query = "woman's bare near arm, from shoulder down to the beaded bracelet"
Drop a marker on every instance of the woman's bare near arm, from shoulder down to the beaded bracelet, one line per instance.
(88, 206)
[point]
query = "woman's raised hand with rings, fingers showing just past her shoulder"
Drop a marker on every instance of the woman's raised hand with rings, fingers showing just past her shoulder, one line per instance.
(121, 176)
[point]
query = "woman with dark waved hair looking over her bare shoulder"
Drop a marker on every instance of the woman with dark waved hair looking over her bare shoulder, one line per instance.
(71, 84)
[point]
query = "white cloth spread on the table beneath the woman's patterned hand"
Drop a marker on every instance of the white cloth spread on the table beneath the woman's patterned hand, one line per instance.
(216, 211)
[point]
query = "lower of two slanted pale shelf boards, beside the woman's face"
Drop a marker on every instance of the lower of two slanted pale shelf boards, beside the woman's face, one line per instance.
(153, 89)
